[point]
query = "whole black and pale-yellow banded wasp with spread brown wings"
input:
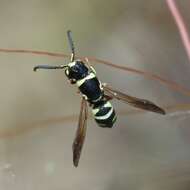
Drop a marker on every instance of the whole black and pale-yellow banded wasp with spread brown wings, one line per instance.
(97, 94)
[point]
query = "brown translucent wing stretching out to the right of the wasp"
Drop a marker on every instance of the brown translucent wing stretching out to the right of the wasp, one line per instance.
(136, 102)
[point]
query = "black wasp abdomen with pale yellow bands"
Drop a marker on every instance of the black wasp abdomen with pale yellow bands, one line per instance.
(104, 114)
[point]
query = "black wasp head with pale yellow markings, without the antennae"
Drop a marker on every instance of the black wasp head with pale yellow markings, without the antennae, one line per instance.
(76, 70)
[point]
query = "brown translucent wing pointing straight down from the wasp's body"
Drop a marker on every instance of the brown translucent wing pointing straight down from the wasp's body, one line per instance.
(80, 133)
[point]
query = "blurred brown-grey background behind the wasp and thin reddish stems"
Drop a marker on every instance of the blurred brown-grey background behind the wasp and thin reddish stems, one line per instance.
(144, 151)
